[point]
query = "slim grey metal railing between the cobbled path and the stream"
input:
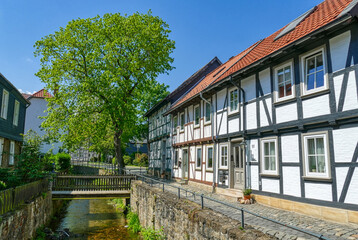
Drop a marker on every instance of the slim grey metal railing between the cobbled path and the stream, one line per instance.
(180, 191)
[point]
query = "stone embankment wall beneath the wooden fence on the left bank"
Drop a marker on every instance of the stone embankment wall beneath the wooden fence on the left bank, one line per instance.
(23, 222)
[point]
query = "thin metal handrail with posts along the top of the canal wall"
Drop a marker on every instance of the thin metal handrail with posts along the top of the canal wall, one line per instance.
(319, 236)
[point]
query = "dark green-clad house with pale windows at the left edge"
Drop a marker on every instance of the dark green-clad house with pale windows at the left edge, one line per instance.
(12, 122)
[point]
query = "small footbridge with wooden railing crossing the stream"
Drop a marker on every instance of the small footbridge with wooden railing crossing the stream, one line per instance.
(91, 187)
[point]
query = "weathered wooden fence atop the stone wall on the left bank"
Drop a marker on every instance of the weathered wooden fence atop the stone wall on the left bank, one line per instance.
(14, 197)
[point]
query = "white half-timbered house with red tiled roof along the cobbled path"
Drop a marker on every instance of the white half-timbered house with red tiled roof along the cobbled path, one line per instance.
(281, 117)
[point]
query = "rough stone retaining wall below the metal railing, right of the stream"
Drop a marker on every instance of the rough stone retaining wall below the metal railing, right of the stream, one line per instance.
(183, 219)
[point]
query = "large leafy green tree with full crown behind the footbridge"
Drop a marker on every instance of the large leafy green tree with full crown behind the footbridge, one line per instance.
(103, 72)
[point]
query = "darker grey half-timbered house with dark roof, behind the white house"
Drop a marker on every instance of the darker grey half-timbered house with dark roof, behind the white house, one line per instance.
(160, 127)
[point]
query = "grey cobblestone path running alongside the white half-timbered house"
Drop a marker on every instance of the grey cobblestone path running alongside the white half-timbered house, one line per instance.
(328, 229)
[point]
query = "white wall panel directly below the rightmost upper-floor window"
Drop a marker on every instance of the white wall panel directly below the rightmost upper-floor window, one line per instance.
(315, 106)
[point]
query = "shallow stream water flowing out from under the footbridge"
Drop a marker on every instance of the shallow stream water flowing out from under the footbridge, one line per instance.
(95, 219)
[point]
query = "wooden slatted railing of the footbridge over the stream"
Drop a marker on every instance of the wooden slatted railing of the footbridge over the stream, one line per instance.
(92, 183)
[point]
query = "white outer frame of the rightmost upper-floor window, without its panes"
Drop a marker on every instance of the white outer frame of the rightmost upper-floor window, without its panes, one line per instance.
(325, 86)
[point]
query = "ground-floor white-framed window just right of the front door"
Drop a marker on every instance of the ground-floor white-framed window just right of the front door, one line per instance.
(269, 156)
